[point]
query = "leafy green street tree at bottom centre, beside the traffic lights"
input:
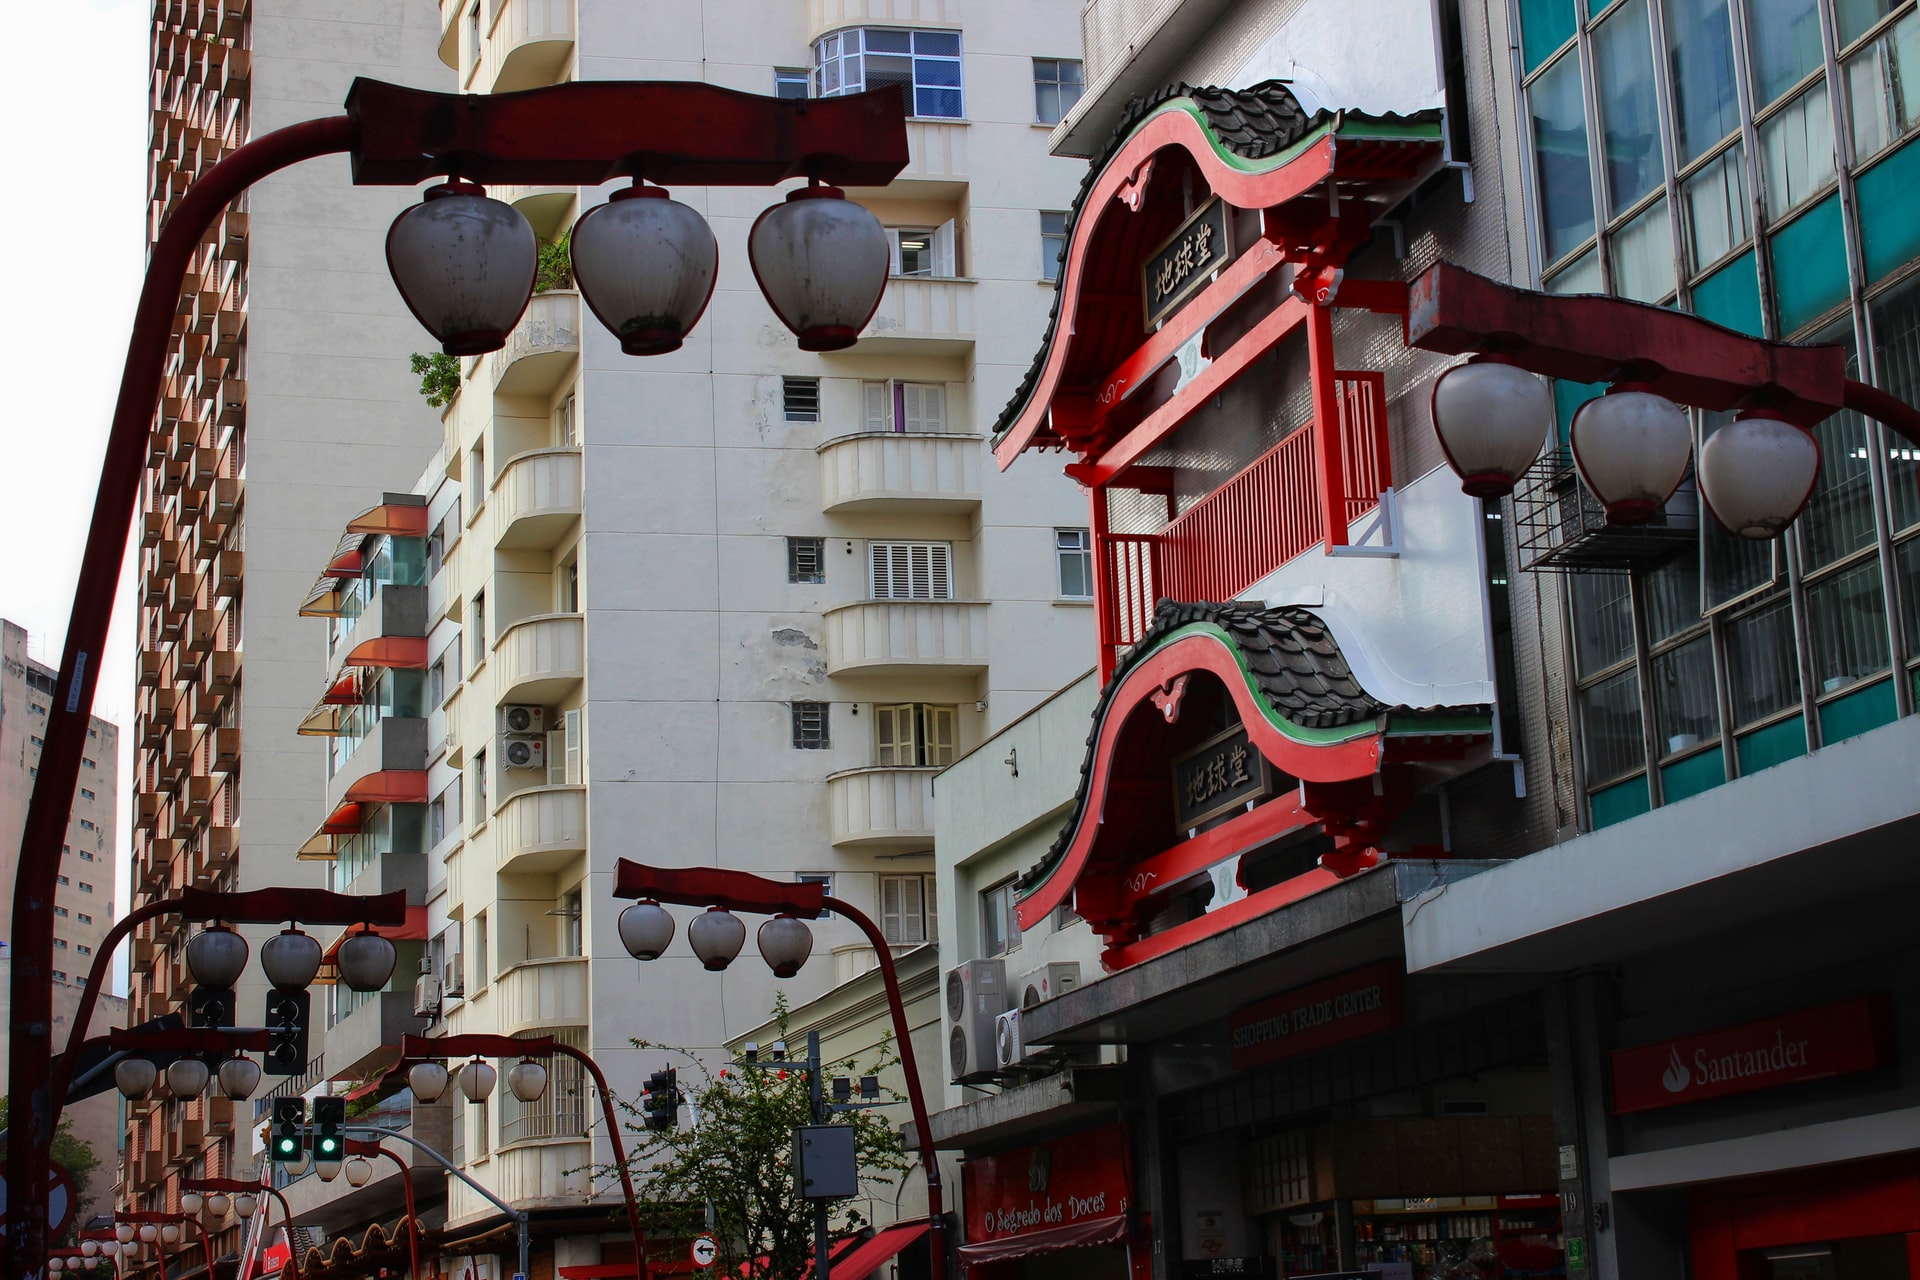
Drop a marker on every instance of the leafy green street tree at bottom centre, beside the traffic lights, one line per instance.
(738, 1160)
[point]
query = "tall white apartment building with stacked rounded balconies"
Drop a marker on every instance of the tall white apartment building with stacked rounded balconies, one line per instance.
(727, 607)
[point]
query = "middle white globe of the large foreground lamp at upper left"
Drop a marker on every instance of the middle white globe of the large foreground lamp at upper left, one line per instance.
(646, 264)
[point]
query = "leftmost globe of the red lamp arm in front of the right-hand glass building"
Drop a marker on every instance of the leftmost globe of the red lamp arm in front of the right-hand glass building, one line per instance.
(1493, 421)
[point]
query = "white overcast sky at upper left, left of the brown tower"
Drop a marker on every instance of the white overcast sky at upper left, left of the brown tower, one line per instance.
(76, 199)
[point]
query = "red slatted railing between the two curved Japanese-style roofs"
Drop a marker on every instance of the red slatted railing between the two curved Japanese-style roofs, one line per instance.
(1249, 527)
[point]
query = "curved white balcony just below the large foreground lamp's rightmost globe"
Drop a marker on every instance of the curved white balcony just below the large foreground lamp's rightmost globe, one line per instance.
(901, 473)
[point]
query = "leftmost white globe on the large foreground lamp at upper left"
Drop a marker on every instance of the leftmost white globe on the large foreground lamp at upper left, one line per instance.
(466, 266)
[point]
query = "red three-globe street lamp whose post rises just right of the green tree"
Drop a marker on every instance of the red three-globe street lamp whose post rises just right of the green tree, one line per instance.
(784, 941)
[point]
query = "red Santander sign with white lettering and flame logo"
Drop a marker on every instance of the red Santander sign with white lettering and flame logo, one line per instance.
(1808, 1045)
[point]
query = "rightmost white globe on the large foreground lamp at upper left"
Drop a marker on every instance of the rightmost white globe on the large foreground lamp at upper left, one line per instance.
(823, 264)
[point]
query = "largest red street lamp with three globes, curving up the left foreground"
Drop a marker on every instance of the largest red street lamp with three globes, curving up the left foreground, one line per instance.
(567, 135)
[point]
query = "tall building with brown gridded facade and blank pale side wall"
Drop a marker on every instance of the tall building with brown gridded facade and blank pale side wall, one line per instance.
(287, 396)
